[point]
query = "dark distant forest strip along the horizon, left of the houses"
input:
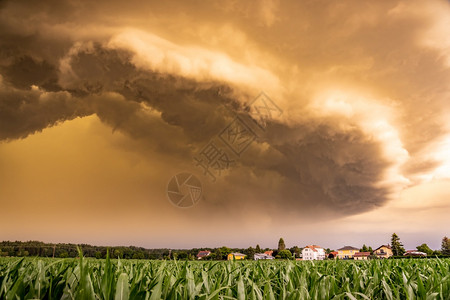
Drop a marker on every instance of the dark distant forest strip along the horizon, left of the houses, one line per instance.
(41, 249)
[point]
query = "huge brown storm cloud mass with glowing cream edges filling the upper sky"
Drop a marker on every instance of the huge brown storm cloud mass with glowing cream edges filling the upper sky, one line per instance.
(362, 86)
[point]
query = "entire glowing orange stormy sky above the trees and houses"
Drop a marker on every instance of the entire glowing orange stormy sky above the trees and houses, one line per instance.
(102, 103)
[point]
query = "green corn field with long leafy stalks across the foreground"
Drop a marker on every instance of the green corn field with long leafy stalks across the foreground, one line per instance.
(81, 278)
